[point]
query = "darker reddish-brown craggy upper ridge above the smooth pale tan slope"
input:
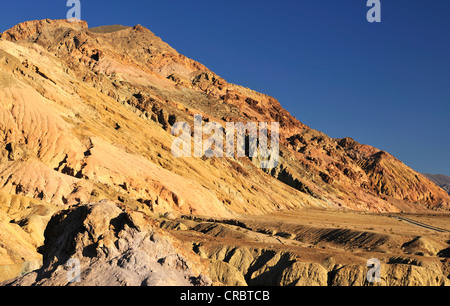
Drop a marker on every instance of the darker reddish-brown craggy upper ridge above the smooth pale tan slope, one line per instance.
(135, 60)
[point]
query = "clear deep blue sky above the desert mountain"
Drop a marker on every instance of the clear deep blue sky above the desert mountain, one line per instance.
(386, 84)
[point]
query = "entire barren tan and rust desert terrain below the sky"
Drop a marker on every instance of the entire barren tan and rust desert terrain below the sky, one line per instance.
(87, 174)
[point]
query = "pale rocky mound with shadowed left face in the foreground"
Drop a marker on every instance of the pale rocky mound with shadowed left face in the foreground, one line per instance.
(111, 246)
